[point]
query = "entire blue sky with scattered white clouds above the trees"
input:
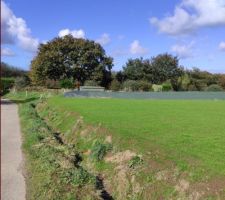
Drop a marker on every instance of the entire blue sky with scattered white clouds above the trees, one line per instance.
(193, 30)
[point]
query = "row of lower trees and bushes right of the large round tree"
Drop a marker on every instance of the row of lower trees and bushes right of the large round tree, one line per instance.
(164, 70)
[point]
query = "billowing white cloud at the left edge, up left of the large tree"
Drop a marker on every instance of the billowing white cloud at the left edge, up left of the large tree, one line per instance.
(15, 30)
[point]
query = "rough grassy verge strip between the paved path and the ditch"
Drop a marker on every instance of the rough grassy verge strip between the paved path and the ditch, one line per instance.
(53, 167)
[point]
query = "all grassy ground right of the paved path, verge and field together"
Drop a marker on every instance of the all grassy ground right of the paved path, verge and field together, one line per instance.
(158, 149)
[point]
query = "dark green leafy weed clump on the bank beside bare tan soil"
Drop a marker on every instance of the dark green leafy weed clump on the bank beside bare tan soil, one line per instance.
(99, 150)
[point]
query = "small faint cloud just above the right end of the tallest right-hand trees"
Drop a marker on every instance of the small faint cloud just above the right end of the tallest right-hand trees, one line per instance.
(183, 51)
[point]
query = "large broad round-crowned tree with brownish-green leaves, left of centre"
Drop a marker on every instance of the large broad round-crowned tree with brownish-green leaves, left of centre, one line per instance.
(71, 57)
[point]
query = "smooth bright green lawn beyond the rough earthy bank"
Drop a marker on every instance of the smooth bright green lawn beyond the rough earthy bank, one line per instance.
(191, 133)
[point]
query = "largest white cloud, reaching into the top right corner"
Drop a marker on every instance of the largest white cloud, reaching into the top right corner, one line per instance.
(190, 15)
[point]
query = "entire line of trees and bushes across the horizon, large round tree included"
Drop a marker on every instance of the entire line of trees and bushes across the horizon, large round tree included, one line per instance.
(64, 62)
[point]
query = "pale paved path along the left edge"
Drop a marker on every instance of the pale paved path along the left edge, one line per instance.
(12, 183)
